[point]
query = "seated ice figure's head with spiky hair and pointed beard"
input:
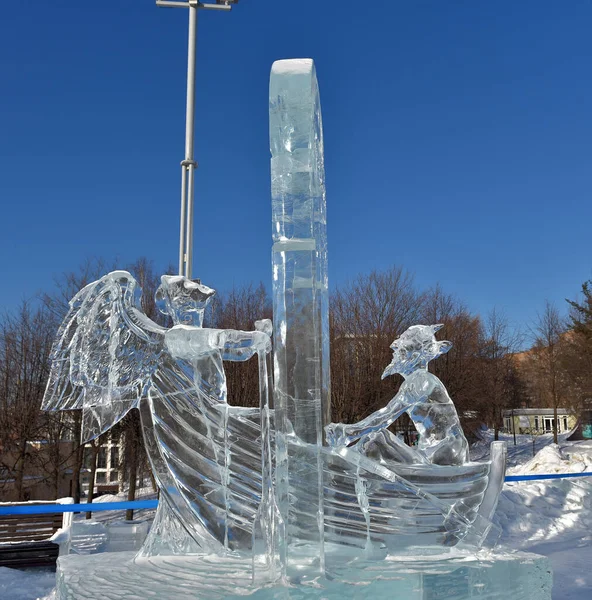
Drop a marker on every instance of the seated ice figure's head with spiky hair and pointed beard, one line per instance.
(414, 349)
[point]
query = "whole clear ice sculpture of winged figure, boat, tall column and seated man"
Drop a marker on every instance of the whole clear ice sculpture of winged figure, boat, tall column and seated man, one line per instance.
(257, 487)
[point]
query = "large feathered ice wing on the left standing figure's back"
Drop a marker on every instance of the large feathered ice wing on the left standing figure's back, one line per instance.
(105, 353)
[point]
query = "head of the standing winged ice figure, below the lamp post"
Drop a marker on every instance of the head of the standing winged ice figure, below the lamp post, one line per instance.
(183, 300)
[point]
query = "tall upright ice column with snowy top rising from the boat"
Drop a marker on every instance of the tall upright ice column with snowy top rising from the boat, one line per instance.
(300, 293)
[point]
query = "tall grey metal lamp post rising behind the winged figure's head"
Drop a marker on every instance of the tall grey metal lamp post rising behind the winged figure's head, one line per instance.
(189, 164)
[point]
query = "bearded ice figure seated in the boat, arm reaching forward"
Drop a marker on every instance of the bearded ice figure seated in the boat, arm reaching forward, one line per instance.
(423, 397)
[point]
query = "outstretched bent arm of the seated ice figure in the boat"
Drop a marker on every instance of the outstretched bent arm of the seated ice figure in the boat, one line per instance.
(340, 434)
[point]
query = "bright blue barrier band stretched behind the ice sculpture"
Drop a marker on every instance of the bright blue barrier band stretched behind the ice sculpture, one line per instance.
(38, 509)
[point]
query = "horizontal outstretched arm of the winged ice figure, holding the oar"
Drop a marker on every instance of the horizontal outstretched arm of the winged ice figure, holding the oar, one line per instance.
(190, 343)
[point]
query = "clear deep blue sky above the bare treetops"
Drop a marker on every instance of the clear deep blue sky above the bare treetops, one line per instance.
(458, 139)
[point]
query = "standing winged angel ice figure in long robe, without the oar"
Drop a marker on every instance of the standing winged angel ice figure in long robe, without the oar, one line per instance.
(109, 357)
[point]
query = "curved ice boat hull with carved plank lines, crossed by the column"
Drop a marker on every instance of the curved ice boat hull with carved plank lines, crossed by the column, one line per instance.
(216, 470)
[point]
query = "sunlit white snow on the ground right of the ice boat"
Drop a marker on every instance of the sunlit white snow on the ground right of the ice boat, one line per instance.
(551, 517)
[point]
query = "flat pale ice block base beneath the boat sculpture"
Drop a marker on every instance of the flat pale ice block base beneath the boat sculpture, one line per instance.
(119, 575)
